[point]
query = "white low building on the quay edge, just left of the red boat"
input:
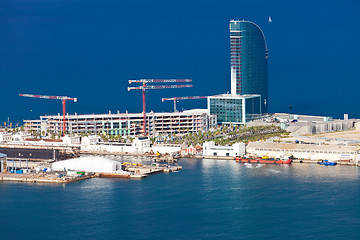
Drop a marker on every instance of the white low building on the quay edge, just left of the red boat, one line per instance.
(210, 149)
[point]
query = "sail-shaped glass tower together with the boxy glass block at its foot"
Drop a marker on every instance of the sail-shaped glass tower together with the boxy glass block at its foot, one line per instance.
(249, 77)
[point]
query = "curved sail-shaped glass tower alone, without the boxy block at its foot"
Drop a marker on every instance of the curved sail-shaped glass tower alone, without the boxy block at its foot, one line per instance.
(249, 71)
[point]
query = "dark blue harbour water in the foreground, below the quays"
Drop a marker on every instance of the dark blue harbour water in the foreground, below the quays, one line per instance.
(208, 199)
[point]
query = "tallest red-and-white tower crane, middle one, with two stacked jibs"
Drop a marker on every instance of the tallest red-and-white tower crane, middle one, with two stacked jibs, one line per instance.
(145, 87)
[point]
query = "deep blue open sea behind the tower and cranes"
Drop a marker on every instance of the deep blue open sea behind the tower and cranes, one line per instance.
(89, 49)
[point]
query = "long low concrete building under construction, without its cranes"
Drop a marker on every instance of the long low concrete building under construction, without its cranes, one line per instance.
(125, 124)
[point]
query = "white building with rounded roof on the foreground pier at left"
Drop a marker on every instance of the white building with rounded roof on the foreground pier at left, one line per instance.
(88, 164)
